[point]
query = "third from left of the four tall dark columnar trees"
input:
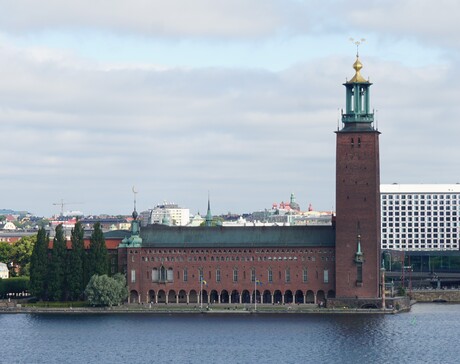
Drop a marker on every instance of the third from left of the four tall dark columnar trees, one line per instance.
(75, 275)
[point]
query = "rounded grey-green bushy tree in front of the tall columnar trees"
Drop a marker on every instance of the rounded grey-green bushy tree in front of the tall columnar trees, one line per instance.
(103, 290)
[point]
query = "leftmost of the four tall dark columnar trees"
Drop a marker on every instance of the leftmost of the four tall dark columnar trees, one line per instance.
(39, 265)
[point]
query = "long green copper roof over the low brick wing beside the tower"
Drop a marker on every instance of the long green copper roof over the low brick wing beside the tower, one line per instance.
(294, 236)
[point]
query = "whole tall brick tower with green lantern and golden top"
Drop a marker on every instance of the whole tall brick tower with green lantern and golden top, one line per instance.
(357, 196)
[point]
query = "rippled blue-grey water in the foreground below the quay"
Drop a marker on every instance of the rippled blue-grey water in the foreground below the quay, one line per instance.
(428, 334)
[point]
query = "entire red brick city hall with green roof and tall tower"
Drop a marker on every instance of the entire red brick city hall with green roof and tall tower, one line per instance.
(337, 264)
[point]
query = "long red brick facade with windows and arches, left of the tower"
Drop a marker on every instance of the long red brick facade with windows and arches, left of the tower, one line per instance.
(286, 275)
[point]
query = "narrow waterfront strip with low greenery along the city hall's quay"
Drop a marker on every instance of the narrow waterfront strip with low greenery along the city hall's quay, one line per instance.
(243, 309)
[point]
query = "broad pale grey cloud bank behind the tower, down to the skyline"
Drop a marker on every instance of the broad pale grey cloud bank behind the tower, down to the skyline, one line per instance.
(251, 137)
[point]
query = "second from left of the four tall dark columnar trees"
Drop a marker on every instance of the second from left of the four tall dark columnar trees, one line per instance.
(56, 272)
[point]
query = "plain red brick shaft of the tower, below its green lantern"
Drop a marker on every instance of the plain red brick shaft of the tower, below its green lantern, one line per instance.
(358, 213)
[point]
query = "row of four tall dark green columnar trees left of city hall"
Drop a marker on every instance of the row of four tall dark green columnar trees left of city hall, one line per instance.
(61, 274)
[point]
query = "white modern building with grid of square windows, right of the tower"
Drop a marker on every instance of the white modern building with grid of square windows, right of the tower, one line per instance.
(420, 216)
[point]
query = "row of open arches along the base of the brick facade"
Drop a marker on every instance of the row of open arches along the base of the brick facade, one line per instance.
(231, 297)
